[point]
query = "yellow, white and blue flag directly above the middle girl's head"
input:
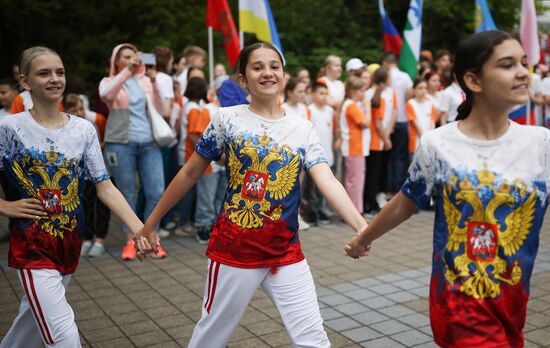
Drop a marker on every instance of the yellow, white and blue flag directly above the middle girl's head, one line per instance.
(255, 17)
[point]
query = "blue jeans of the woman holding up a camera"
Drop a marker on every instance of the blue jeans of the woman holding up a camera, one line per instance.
(124, 160)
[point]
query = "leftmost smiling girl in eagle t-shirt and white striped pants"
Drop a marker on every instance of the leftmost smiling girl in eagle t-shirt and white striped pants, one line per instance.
(46, 155)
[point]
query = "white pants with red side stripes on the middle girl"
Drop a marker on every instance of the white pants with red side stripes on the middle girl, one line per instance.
(229, 290)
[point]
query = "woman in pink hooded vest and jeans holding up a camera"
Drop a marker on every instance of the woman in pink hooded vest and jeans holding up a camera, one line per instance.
(131, 92)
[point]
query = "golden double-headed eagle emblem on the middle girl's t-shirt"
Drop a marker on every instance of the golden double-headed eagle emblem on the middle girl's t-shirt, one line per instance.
(271, 172)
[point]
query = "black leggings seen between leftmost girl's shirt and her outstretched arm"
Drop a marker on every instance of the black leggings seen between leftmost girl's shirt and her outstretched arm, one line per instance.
(97, 214)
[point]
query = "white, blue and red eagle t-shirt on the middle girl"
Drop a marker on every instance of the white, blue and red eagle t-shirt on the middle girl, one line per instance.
(257, 225)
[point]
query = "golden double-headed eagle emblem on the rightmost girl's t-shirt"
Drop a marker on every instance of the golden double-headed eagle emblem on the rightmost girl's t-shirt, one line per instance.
(485, 237)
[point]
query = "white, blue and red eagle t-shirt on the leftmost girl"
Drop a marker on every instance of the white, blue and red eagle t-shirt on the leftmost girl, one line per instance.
(49, 165)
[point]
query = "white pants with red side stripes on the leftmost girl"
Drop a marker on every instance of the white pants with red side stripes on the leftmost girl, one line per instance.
(45, 316)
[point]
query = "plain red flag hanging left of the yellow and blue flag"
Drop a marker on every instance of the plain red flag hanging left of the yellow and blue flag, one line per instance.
(219, 17)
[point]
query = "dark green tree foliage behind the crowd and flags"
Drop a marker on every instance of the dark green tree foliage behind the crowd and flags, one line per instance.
(84, 32)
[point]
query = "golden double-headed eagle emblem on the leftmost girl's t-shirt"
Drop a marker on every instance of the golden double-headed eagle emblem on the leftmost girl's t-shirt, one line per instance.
(56, 200)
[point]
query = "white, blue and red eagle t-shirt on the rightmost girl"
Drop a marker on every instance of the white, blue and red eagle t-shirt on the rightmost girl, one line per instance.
(490, 200)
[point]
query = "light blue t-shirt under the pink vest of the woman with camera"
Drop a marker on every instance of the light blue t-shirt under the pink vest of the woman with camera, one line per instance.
(140, 128)
